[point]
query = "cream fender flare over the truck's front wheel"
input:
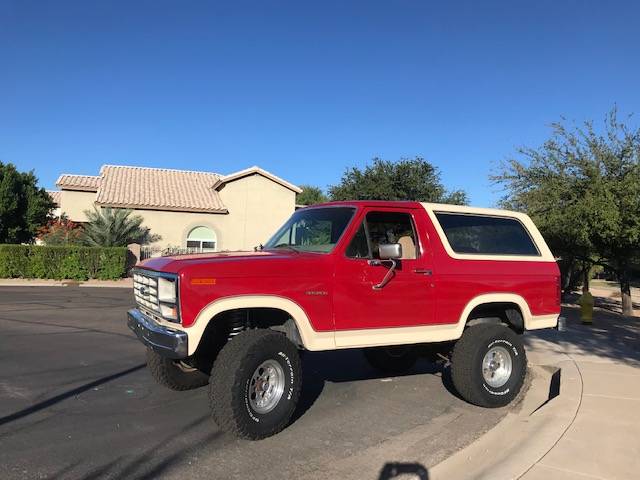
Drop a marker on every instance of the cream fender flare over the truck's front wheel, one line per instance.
(311, 339)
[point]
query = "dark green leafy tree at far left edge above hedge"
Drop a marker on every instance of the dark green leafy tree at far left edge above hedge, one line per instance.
(24, 207)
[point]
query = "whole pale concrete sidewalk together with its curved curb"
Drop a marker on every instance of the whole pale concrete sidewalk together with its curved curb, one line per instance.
(589, 429)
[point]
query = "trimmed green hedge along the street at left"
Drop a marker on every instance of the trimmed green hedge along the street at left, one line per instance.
(71, 262)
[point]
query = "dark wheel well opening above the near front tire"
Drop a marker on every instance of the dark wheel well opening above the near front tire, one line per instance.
(226, 325)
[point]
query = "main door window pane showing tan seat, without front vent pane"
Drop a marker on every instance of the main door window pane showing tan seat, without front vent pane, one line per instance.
(392, 227)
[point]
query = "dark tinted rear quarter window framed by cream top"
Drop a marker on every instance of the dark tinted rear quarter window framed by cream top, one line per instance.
(486, 235)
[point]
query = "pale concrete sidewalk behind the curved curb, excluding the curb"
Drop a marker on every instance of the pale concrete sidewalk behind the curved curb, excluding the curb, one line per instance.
(603, 441)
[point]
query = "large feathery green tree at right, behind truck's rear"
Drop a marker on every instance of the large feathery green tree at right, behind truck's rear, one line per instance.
(582, 189)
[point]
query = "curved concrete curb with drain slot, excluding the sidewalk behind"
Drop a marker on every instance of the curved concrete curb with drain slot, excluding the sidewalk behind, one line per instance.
(521, 439)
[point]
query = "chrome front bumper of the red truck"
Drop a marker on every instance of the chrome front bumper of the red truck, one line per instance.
(167, 342)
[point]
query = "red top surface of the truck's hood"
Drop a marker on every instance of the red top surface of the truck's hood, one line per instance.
(224, 260)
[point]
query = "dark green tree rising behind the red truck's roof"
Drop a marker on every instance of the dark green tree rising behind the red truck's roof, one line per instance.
(407, 179)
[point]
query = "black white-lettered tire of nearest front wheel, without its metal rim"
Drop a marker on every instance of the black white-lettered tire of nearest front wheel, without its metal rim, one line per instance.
(230, 387)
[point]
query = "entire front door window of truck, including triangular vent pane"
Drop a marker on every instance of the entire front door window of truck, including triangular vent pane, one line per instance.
(384, 228)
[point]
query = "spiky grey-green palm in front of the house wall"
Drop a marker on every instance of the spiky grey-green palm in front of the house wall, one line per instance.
(115, 227)
